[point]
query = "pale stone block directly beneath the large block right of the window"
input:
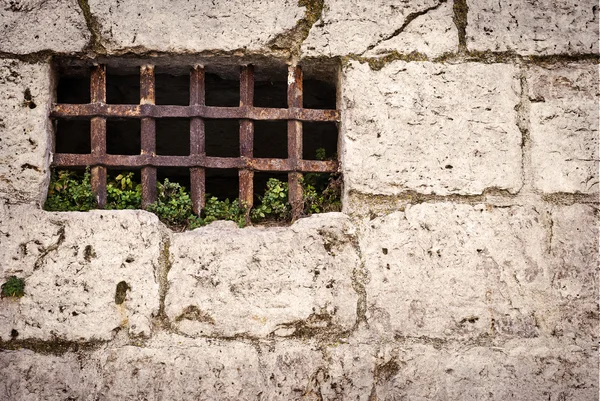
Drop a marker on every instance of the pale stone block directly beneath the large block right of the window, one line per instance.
(457, 271)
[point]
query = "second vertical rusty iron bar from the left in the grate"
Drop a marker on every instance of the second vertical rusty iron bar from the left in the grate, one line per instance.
(148, 132)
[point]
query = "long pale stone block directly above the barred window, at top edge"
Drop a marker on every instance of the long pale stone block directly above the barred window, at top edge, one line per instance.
(183, 26)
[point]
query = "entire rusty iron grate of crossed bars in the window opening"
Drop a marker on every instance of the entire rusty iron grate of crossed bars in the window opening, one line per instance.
(197, 111)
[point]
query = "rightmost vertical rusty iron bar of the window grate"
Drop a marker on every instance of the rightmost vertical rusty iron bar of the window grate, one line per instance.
(294, 96)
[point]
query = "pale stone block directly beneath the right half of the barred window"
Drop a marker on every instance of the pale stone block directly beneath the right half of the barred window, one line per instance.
(288, 281)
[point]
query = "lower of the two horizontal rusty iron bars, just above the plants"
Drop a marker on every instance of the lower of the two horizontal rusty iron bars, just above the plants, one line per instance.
(138, 161)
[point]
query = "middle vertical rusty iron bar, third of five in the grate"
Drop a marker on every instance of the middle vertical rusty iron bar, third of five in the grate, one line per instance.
(197, 139)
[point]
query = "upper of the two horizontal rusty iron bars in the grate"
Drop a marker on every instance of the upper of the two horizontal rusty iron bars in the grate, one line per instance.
(159, 111)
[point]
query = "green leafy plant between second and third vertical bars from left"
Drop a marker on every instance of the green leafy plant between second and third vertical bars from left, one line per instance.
(173, 205)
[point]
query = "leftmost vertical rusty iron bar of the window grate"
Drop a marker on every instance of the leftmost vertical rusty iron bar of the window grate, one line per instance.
(98, 133)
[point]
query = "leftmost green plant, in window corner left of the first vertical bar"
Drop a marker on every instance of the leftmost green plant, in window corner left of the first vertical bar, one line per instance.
(70, 191)
